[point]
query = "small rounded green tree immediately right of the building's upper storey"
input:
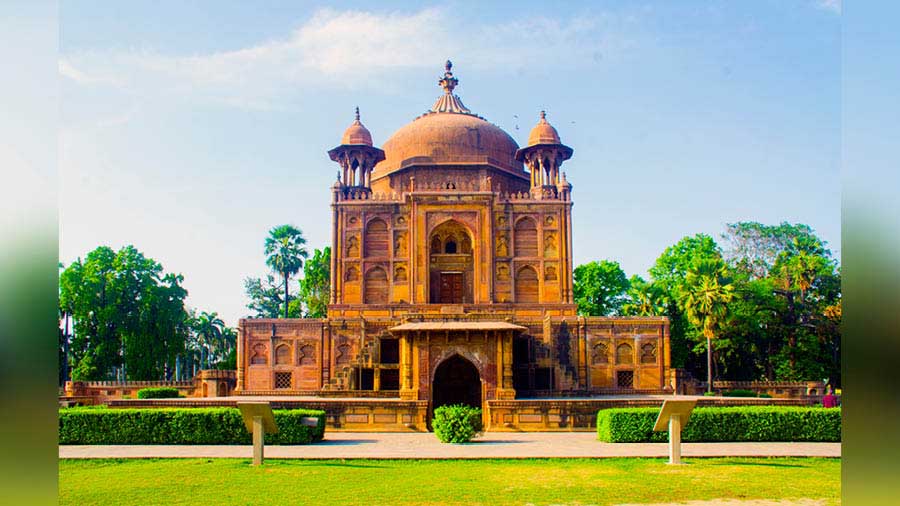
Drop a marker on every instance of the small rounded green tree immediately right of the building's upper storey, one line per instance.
(599, 288)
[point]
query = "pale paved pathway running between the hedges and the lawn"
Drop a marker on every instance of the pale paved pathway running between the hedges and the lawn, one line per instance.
(380, 445)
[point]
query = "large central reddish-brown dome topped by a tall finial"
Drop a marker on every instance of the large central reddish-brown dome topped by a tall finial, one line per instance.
(449, 134)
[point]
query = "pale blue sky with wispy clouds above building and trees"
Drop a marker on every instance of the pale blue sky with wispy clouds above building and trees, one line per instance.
(190, 129)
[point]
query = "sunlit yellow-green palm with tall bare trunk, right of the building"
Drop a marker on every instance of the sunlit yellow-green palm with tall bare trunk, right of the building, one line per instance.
(708, 293)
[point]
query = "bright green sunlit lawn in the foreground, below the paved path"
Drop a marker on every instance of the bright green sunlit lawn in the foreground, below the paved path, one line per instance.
(537, 481)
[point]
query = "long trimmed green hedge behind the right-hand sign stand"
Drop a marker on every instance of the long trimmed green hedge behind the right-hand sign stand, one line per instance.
(740, 423)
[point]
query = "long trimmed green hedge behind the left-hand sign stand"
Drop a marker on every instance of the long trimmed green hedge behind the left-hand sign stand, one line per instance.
(184, 426)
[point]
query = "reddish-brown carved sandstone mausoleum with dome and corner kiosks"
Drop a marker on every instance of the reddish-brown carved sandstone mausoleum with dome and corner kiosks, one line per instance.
(452, 261)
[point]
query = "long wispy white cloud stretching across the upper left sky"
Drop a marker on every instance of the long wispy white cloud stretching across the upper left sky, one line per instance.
(347, 49)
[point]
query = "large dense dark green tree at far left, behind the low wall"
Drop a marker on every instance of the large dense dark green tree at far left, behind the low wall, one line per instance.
(126, 313)
